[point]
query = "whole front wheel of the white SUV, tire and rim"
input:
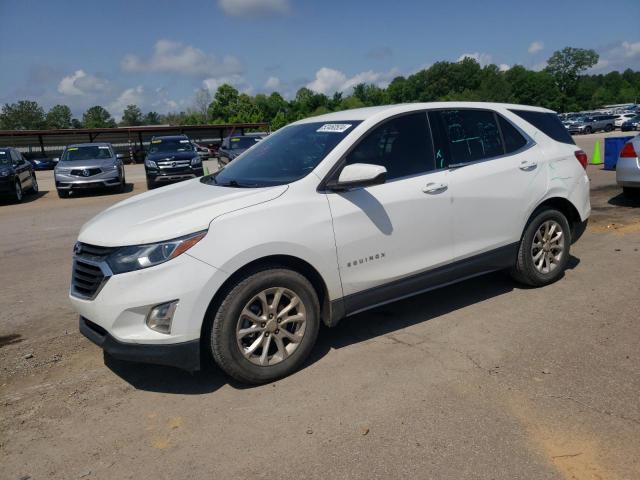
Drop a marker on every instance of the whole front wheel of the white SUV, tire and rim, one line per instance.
(266, 326)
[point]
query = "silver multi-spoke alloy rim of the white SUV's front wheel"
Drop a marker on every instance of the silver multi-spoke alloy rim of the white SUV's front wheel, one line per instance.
(271, 326)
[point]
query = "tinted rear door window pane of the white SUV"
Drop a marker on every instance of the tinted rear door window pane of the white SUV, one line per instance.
(463, 136)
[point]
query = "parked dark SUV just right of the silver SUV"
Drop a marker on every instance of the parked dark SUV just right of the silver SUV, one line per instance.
(171, 159)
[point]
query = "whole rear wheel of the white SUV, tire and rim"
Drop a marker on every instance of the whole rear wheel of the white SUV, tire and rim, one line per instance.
(544, 249)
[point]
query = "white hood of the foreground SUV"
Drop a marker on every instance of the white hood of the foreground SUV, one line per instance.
(170, 212)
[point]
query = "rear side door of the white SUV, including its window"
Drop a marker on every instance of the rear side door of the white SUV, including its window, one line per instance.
(496, 175)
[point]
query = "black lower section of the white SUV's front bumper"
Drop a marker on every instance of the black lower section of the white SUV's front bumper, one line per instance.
(184, 355)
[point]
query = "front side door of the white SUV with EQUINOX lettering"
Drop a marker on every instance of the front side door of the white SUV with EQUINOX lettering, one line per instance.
(389, 232)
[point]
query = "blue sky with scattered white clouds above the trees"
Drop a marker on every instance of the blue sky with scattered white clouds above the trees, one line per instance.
(158, 53)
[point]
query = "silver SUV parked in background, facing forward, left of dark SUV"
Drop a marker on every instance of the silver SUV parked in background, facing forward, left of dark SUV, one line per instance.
(89, 166)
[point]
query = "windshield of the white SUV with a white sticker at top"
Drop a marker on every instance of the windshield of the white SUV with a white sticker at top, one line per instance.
(283, 157)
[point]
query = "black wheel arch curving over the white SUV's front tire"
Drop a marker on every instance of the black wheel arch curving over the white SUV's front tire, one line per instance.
(295, 264)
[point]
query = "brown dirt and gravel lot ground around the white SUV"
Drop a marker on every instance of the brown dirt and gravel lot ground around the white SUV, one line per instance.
(483, 379)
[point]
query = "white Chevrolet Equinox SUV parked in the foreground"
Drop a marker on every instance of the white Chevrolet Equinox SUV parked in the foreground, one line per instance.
(327, 217)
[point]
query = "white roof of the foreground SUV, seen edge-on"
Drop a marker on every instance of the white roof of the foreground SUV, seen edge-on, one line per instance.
(368, 112)
